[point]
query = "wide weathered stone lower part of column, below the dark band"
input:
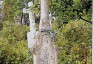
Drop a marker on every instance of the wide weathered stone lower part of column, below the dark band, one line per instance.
(45, 51)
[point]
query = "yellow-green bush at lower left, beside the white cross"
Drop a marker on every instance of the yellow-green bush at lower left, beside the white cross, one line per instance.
(13, 44)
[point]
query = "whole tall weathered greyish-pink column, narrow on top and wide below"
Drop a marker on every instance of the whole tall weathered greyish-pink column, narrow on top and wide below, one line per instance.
(44, 51)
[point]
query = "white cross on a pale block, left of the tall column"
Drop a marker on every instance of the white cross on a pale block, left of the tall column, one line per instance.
(31, 34)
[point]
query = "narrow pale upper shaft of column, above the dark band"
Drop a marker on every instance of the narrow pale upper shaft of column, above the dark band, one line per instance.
(44, 20)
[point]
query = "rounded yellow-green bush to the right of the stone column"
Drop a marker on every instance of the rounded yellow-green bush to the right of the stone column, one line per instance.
(74, 39)
